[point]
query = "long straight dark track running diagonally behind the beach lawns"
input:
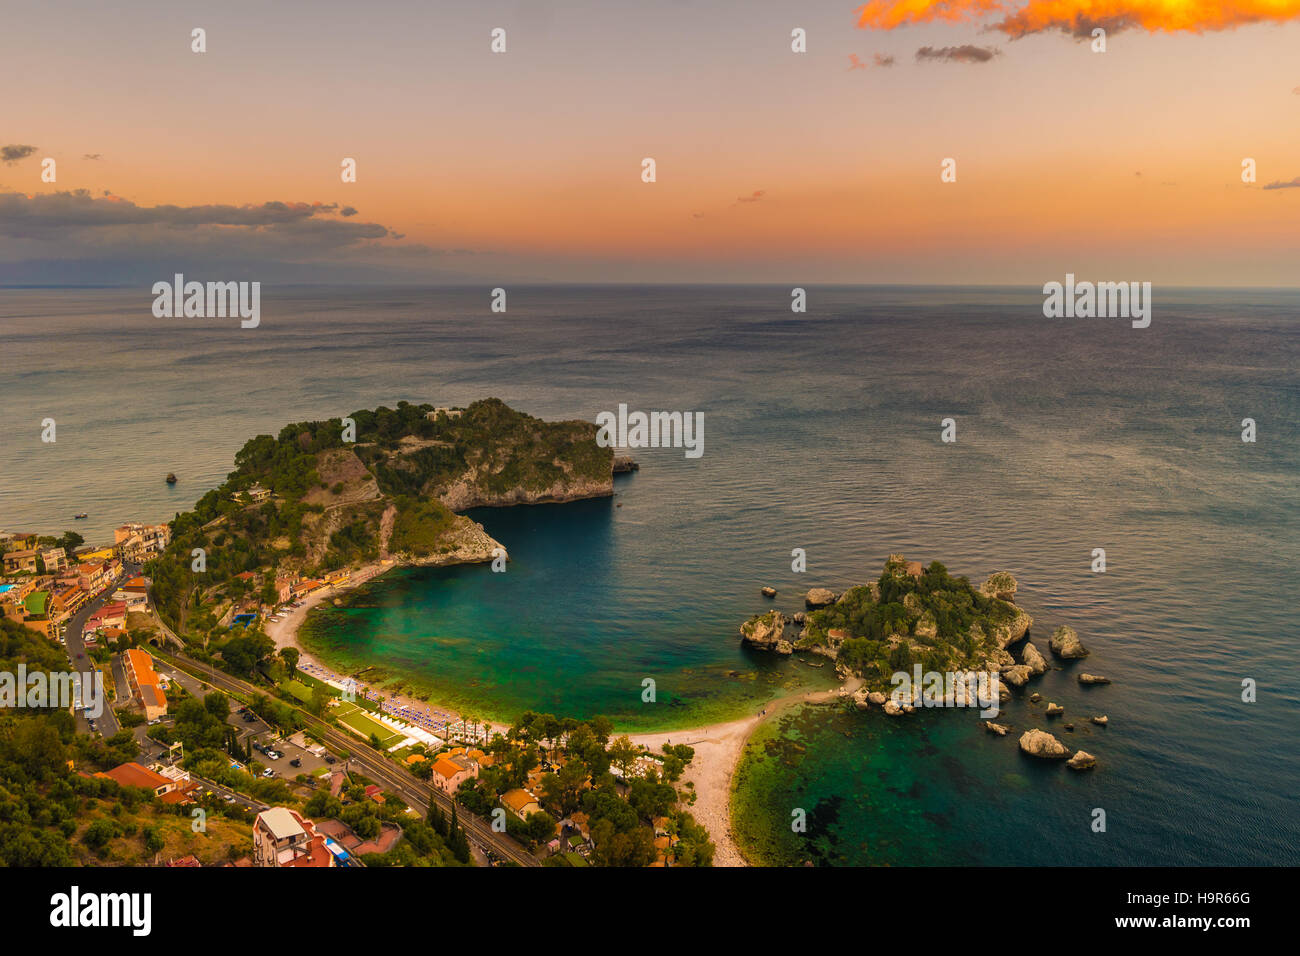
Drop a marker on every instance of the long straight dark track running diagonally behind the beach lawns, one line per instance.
(415, 793)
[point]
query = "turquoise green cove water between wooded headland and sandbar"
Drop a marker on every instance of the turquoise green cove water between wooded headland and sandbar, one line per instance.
(561, 631)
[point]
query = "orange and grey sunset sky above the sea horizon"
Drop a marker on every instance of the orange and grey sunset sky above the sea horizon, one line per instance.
(770, 165)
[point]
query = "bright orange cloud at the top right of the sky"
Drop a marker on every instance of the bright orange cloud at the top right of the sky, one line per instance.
(1080, 18)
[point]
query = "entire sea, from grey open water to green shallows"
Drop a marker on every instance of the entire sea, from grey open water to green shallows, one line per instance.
(824, 436)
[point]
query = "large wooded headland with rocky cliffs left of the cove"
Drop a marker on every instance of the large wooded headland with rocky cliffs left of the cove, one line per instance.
(384, 487)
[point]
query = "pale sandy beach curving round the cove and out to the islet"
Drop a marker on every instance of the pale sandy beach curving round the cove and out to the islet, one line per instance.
(718, 747)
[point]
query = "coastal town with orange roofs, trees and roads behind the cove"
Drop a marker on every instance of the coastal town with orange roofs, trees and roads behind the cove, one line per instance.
(294, 765)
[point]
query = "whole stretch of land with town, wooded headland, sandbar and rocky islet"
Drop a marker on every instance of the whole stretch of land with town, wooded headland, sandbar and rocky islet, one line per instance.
(192, 685)
